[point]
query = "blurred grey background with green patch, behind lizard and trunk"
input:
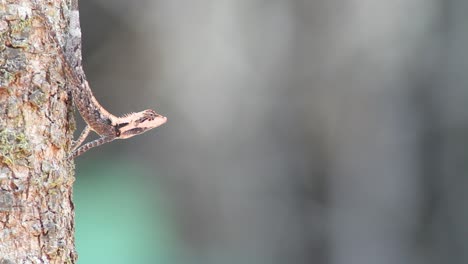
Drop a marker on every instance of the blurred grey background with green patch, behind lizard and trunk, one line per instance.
(325, 132)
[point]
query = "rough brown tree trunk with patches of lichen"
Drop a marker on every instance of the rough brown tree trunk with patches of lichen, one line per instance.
(36, 123)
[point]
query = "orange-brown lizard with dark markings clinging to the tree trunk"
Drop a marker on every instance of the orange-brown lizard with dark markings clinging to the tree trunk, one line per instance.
(108, 126)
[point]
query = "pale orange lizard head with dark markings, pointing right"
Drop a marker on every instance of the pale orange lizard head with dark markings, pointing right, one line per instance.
(137, 123)
